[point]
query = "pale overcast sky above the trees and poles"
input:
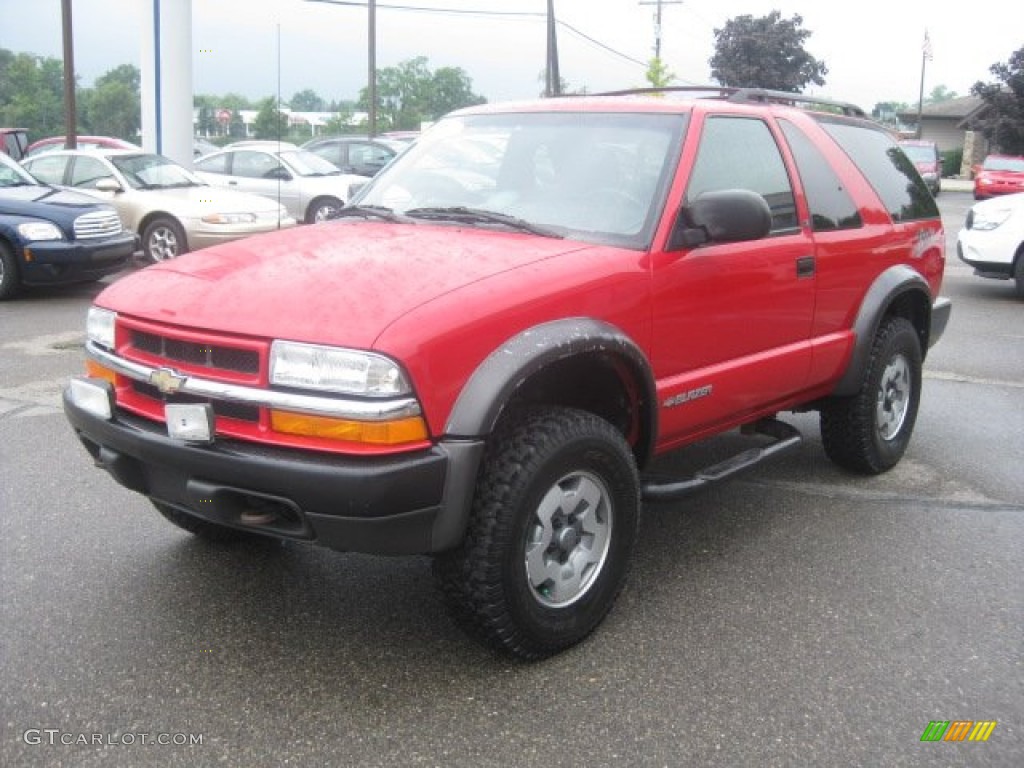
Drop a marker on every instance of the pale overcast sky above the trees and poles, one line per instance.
(873, 49)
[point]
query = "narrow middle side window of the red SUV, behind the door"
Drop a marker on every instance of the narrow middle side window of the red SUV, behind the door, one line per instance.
(832, 207)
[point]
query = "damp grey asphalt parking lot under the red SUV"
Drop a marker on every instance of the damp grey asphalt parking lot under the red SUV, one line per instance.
(797, 616)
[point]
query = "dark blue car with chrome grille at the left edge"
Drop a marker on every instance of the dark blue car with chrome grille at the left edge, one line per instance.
(51, 237)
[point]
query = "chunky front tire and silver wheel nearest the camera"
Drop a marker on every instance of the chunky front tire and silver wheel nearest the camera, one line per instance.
(550, 537)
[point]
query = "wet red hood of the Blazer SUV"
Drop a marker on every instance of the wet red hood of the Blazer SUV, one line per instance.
(335, 283)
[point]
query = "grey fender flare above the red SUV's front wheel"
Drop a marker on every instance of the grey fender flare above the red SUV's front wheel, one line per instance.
(494, 382)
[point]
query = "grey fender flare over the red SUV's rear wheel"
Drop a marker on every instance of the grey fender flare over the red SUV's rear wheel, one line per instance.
(890, 286)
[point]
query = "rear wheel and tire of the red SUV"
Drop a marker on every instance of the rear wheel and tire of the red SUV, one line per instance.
(870, 432)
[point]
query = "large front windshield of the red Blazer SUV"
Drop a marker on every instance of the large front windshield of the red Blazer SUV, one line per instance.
(591, 177)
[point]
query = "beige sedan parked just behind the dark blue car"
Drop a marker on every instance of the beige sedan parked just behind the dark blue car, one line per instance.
(174, 211)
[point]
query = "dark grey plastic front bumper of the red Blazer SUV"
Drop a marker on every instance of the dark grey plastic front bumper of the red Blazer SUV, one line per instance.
(408, 504)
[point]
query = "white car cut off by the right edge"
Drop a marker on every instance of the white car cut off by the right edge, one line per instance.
(993, 239)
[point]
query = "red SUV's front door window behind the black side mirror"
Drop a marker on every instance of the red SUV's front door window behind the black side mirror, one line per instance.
(742, 154)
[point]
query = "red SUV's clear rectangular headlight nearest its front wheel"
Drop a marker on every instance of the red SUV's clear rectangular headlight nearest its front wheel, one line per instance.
(335, 370)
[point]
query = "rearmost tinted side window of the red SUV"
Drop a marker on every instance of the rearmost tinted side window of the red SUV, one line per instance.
(886, 167)
